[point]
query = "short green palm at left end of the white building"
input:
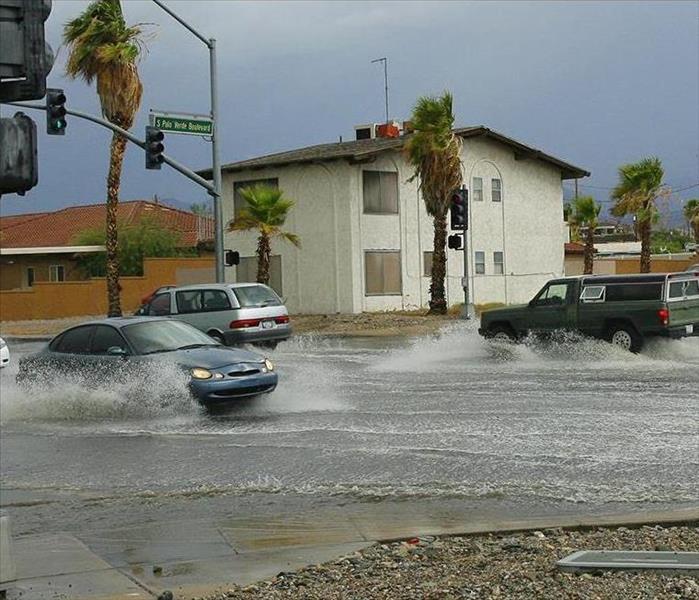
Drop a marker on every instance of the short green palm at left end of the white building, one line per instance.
(266, 212)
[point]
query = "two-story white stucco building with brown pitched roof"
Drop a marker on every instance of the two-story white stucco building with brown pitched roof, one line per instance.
(367, 239)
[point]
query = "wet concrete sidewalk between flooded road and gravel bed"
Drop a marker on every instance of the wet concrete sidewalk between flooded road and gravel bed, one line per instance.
(198, 557)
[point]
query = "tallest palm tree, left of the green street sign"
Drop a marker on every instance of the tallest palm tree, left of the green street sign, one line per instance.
(104, 48)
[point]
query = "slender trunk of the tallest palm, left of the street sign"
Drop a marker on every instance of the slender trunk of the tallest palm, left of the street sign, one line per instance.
(116, 161)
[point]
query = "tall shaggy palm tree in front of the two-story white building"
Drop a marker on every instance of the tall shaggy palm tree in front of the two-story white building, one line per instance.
(434, 151)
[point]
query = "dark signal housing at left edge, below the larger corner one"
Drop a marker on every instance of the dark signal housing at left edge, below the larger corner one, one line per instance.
(19, 169)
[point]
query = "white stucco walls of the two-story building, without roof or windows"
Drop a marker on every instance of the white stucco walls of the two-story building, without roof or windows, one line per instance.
(327, 273)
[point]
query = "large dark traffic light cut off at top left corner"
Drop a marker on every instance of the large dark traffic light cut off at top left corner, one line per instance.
(25, 57)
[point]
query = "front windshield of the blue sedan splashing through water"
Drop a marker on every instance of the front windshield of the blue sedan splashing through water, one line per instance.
(150, 337)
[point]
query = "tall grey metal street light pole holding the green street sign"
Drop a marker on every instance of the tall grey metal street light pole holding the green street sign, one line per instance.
(216, 163)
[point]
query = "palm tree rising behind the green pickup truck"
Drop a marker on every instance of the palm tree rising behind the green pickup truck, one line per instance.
(639, 185)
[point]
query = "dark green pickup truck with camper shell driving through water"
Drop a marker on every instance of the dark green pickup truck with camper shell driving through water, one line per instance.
(622, 309)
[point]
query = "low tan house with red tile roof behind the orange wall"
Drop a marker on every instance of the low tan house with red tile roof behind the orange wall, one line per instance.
(40, 247)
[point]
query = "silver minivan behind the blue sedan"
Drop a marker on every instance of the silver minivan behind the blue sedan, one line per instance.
(232, 313)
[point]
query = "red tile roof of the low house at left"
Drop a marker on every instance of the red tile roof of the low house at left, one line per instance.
(60, 228)
